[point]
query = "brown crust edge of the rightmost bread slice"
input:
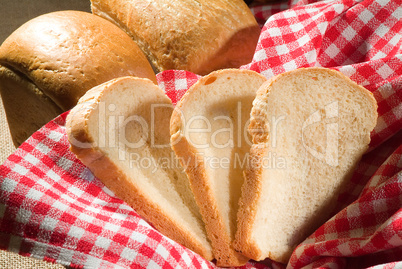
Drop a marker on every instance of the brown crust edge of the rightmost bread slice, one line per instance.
(252, 187)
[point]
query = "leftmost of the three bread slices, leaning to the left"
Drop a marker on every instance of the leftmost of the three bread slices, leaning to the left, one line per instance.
(120, 130)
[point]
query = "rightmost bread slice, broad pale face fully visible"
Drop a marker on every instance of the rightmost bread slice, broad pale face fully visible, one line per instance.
(309, 127)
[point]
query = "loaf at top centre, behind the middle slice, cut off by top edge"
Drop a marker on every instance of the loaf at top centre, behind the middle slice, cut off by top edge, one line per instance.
(198, 36)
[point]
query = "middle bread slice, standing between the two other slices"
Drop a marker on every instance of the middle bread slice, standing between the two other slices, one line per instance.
(208, 136)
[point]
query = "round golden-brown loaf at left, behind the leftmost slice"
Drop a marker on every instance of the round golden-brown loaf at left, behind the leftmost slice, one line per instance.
(51, 61)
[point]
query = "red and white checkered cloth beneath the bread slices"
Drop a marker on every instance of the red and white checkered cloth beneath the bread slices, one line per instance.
(53, 208)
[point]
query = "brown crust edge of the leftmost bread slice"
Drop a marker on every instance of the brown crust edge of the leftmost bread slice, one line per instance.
(116, 180)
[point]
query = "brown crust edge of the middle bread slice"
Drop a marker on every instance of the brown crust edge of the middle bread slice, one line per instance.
(195, 169)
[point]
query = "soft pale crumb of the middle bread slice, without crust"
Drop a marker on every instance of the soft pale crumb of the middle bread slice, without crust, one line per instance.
(224, 146)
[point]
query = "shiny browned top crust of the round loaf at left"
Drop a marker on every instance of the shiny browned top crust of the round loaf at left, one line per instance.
(65, 53)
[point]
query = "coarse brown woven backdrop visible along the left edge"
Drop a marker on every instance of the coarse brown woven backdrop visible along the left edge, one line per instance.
(13, 13)
